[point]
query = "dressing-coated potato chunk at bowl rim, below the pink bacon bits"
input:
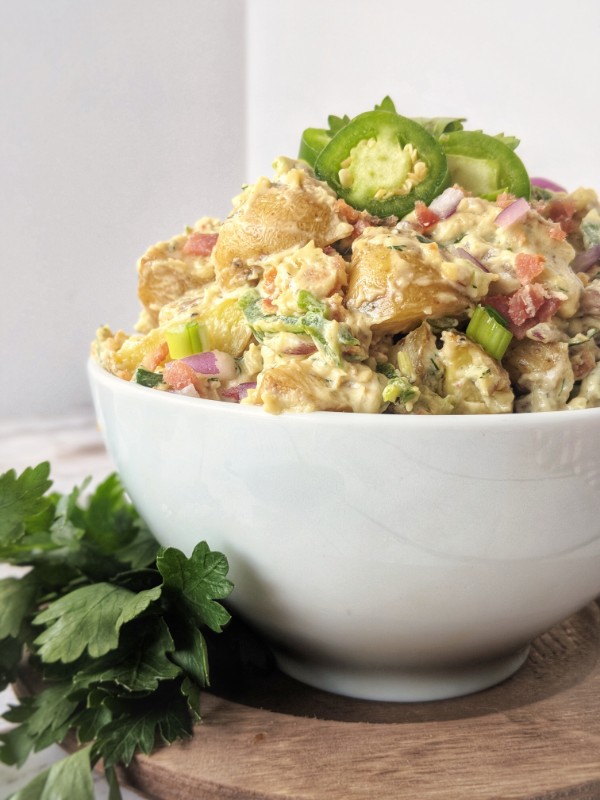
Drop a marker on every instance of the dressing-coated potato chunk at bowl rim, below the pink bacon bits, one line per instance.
(542, 371)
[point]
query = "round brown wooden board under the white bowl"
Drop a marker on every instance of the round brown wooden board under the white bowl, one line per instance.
(534, 737)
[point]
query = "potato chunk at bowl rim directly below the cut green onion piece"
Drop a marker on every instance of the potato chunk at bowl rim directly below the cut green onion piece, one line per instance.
(476, 382)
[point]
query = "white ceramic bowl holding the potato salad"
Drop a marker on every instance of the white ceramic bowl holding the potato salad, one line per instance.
(384, 557)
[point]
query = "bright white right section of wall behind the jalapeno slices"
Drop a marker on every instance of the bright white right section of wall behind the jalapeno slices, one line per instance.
(525, 67)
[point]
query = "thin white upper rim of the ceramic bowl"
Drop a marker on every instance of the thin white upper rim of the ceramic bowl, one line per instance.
(492, 422)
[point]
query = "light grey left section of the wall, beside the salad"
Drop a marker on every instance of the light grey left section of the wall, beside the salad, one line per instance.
(122, 121)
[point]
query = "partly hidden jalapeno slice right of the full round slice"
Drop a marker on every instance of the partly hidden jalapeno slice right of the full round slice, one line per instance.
(484, 165)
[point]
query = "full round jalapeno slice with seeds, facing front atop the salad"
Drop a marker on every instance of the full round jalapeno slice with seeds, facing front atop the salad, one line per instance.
(383, 163)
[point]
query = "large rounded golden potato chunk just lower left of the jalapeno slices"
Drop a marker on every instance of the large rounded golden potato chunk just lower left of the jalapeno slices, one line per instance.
(271, 217)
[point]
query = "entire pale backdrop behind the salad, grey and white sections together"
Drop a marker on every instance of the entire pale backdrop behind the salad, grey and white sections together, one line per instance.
(122, 121)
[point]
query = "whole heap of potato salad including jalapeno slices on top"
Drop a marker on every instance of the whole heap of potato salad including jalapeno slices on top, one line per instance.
(399, 265)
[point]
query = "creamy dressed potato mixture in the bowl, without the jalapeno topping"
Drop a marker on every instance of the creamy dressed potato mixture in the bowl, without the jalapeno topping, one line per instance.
(325, 308)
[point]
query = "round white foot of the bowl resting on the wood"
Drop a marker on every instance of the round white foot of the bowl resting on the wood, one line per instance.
(404, 685)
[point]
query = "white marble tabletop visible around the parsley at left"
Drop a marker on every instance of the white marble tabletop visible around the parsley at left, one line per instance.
(75, 450)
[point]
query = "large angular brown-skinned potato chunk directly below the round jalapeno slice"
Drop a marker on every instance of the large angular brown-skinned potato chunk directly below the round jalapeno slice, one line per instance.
(399, 288)
